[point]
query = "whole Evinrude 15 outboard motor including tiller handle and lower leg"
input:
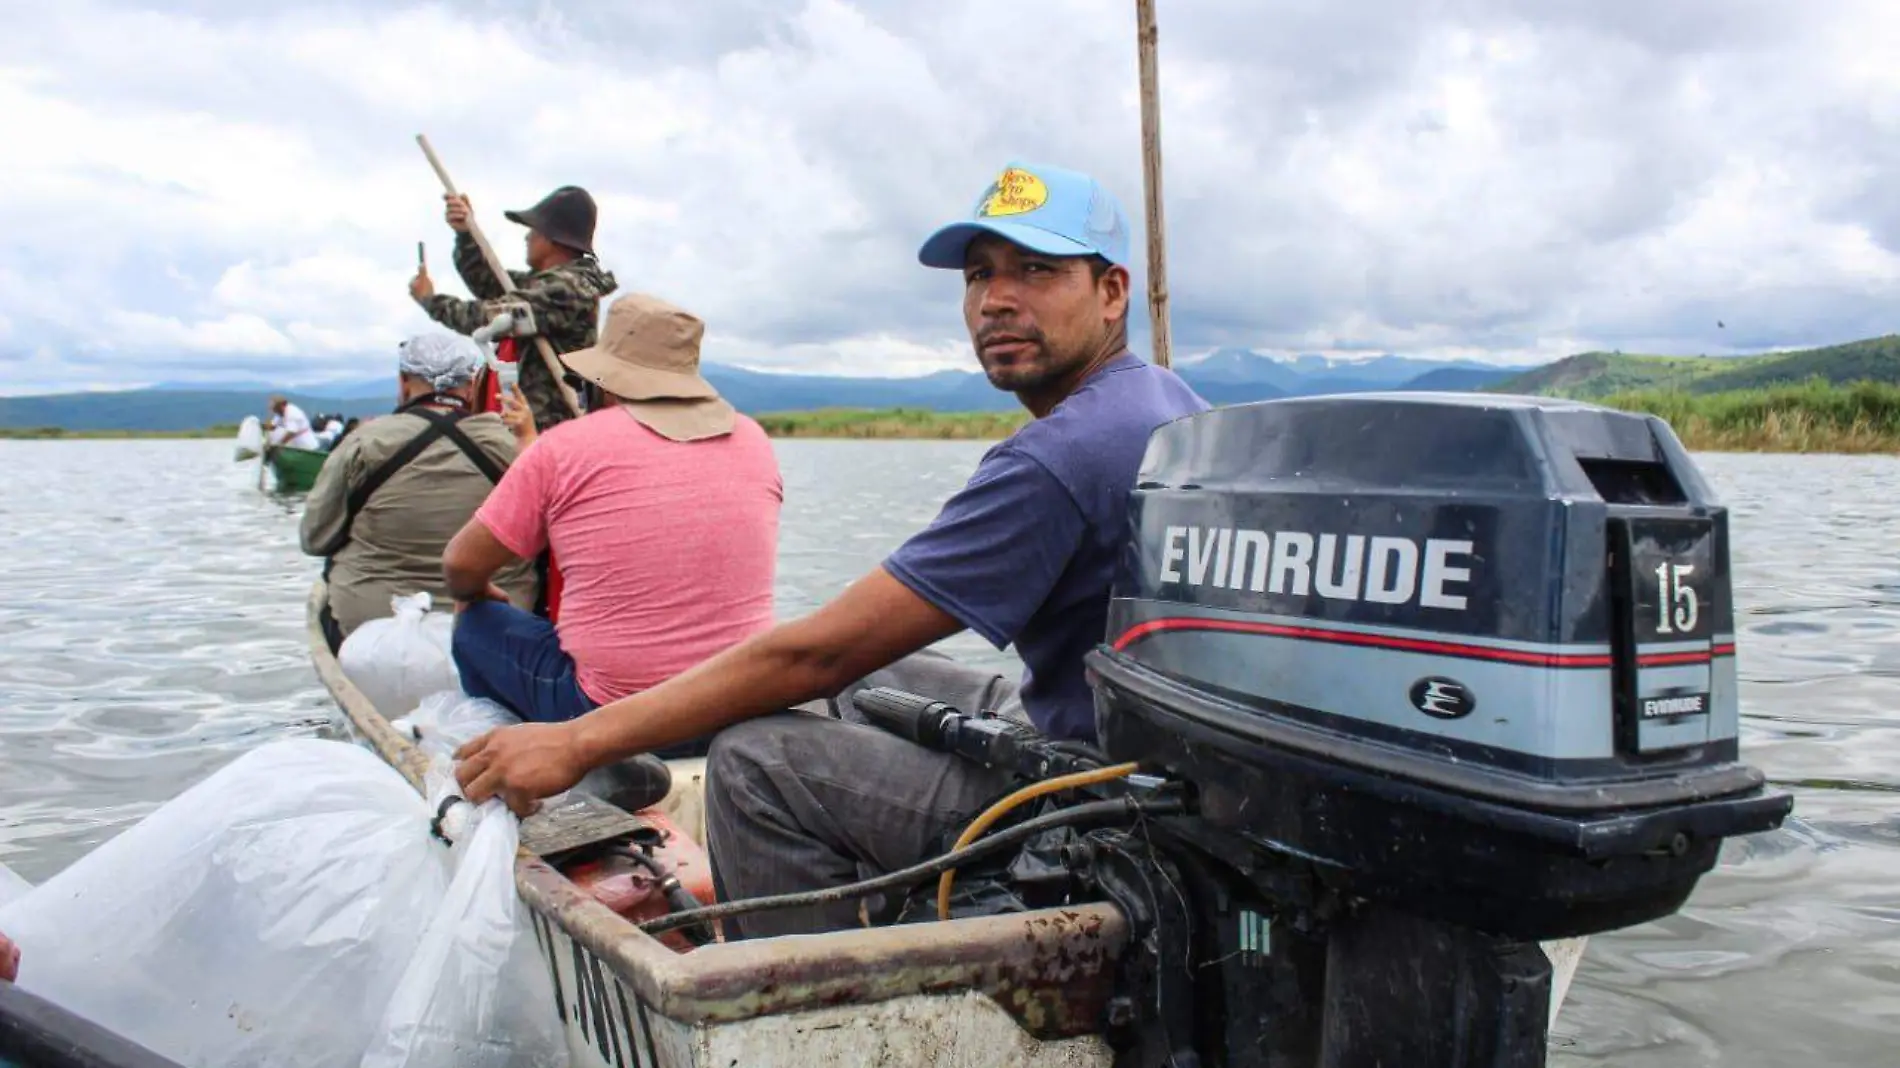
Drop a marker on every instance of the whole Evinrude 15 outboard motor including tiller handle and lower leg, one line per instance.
(1426, 677)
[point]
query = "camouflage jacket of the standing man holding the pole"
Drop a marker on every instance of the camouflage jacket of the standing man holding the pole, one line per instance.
(565, 299)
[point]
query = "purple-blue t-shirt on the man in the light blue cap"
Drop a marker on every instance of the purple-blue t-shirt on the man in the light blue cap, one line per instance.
(1027, 550)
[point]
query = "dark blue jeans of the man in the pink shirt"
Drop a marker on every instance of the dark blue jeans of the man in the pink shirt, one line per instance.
(516, 660)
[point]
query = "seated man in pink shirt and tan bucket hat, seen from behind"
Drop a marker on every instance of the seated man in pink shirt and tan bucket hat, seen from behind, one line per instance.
(662, 506)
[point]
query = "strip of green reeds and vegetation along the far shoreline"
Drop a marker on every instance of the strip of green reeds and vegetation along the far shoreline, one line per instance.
(1814, 417)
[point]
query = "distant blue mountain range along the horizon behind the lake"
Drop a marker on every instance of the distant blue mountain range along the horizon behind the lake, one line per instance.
(1225, 377)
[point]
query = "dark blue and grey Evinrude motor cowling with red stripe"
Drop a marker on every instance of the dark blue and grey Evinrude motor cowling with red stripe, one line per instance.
(1468, 655)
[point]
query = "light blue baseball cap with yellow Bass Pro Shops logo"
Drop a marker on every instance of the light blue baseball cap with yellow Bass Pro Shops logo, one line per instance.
(1046, 210)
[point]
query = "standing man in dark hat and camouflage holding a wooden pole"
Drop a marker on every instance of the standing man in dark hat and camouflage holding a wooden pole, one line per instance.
(556, 301)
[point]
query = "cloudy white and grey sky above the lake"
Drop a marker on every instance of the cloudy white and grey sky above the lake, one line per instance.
(231, 189)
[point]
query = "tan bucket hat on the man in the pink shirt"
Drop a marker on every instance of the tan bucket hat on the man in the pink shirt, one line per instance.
(649, 356)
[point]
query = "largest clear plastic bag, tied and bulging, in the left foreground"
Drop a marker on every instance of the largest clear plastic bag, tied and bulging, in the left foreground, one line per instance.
(295, 911)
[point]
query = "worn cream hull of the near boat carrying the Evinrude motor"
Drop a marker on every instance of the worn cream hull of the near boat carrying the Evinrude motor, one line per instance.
(1023, 991)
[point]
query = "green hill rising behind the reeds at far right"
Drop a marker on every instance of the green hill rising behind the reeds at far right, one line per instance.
(1597, 375)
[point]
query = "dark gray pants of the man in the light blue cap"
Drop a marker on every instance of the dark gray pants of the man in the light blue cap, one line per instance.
(801, 801)
